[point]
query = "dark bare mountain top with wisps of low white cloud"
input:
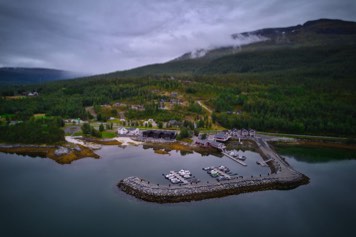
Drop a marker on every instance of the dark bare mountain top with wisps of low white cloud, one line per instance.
(316, 32)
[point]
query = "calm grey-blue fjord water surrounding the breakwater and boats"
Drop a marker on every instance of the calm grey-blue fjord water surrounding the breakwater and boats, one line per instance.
(42, 198)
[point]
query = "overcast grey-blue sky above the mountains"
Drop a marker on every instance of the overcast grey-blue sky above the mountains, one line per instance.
(92, 36)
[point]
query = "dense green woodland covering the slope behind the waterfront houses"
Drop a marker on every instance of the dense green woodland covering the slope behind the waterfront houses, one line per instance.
(293, 90)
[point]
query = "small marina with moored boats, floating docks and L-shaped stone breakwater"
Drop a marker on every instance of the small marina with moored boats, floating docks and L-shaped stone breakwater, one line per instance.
(282, 176)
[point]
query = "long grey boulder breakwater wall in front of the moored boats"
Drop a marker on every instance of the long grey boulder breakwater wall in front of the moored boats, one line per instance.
(192, 192)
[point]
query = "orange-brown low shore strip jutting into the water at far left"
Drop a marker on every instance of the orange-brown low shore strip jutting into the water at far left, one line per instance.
(49, 151)
